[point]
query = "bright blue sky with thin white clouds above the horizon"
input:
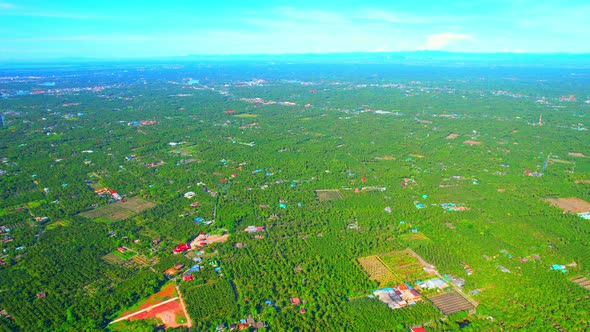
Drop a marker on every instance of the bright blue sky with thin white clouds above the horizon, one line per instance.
(37, 29)
